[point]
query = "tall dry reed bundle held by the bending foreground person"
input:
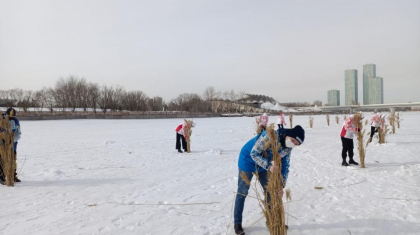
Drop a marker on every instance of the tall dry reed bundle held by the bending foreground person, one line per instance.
(274, 210)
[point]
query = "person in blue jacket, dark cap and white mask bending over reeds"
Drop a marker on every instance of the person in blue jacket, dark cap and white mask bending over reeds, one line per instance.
(251, 160)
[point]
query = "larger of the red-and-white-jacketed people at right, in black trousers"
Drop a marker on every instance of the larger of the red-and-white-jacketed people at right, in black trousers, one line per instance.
(348, 131)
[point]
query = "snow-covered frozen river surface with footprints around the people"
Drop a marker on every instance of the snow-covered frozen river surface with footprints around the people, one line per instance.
(121, 177)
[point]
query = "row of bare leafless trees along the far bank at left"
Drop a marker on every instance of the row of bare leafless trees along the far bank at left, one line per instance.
(73, 93)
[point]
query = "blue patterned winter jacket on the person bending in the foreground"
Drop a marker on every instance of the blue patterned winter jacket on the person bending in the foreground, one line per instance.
(251, 158)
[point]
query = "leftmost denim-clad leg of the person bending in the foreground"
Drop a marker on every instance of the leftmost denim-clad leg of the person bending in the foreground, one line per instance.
(241, 194)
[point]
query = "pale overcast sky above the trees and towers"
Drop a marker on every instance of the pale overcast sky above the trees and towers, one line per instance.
(290, 50)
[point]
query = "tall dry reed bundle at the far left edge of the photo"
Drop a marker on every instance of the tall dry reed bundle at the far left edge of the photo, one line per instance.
(7, 155)
